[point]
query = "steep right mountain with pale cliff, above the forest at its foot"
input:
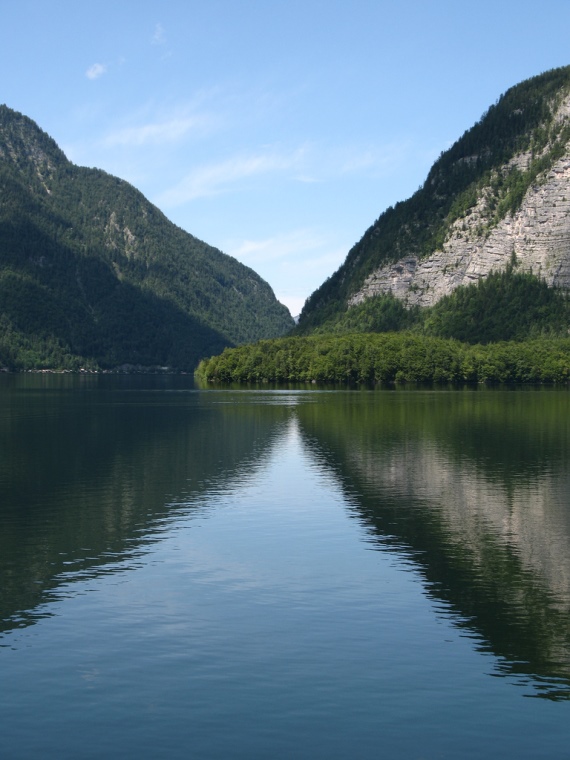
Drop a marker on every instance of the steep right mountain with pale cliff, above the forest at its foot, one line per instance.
(498, 201)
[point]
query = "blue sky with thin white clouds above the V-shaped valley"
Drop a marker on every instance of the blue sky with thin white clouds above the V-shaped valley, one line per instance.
(277, 131)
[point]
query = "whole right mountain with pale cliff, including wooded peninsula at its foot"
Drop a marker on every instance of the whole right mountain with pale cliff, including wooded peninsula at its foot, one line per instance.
(466, 281)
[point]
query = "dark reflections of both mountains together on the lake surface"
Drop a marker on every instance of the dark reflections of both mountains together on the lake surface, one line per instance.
(470, 486)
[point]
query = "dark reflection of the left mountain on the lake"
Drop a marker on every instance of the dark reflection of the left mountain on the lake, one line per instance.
(92, 471)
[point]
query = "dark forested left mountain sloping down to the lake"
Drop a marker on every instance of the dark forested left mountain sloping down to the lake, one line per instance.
(91, 273)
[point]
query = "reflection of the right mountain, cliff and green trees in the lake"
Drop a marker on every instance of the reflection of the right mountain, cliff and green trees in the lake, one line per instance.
(474, 487)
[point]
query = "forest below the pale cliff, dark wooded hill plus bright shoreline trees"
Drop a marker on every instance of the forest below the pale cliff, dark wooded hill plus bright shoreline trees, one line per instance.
(509, 328)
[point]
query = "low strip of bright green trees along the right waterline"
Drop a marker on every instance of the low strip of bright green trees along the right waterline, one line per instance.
(373, 359)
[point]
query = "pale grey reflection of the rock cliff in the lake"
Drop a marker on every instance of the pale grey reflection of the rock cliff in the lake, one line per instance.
(480, 514)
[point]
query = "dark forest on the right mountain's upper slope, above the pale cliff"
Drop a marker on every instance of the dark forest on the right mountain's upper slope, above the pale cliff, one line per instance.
(476, 166)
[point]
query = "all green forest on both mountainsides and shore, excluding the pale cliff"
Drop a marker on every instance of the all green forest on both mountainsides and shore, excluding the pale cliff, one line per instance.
(94, 276)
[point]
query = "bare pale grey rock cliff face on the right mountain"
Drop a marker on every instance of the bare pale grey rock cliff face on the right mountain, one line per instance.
(537, 236)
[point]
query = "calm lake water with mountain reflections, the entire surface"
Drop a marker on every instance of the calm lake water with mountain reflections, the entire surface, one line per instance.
(282, 574)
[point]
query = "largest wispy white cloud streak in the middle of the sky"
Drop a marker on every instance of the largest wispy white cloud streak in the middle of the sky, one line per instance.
(217, 178)
